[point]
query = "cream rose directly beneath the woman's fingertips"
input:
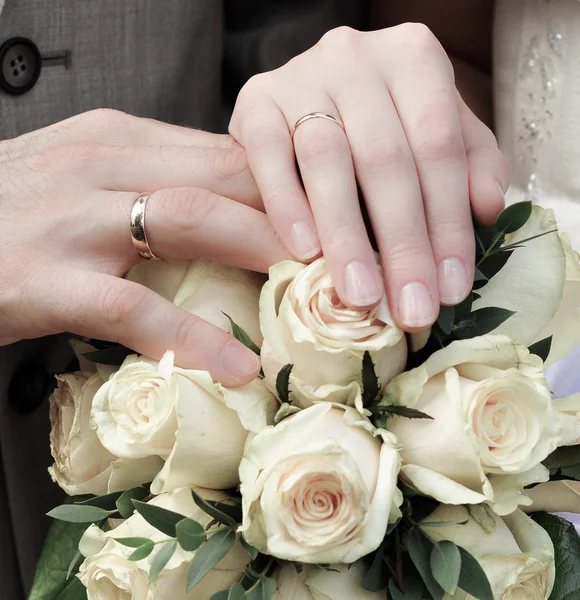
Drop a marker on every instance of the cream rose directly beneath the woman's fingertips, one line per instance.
(304, 323)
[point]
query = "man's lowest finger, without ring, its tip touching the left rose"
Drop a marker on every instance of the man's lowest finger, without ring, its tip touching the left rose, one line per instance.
(106, 307)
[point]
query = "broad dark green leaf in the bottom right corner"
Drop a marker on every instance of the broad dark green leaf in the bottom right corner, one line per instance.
(567, 555)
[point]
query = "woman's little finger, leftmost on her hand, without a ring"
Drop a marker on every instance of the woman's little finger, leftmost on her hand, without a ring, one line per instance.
(263, 132)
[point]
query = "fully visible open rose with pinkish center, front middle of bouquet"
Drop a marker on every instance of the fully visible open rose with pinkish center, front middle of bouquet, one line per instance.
(320, 486)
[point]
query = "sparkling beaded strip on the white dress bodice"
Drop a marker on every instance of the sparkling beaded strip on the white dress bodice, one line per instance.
(539, 75)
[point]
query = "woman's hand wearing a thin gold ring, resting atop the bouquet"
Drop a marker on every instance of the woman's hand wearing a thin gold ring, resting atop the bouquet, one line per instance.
(420, 156)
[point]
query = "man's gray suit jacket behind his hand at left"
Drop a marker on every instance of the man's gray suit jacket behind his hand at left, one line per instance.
(150, 58)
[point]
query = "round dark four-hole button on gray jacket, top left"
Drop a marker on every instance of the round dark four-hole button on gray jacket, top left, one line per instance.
(20, 65)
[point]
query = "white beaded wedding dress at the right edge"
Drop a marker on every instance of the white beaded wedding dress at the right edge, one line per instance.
(537, 112)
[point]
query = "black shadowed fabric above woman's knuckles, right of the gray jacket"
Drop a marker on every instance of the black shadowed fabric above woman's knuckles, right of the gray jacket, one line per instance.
(264, 34)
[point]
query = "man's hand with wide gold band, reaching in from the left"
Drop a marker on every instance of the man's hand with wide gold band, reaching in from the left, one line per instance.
(66, 194)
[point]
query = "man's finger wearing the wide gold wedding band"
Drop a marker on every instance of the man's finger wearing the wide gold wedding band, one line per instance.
(187, 223)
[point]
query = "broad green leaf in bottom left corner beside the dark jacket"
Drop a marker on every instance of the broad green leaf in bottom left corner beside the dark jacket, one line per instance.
(58, 562)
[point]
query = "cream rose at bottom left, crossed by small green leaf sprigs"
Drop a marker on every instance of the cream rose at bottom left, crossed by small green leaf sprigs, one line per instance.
(108, 574)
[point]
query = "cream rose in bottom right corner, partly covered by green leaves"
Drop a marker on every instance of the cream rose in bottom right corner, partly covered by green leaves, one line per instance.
(517, 556)
